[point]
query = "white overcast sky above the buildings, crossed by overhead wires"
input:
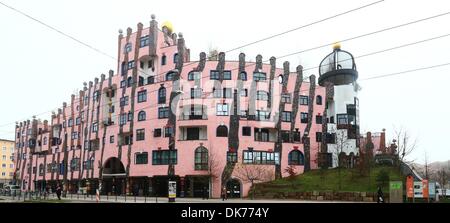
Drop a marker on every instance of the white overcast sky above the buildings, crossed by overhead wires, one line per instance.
(40, 68)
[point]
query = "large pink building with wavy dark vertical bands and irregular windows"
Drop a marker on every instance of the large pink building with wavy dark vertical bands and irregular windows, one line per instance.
(164, 117)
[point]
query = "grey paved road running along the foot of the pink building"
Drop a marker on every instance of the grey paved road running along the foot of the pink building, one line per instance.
(113, 199)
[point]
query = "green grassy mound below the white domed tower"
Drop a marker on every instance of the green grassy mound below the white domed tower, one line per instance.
(328, 180)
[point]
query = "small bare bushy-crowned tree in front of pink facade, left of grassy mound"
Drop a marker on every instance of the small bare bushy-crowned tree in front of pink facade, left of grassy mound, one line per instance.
(254, 174)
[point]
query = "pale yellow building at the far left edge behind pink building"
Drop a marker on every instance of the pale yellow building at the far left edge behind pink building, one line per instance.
(6, 161)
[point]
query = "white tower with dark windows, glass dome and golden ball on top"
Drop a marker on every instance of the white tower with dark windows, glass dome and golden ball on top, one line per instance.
(338, 75)
